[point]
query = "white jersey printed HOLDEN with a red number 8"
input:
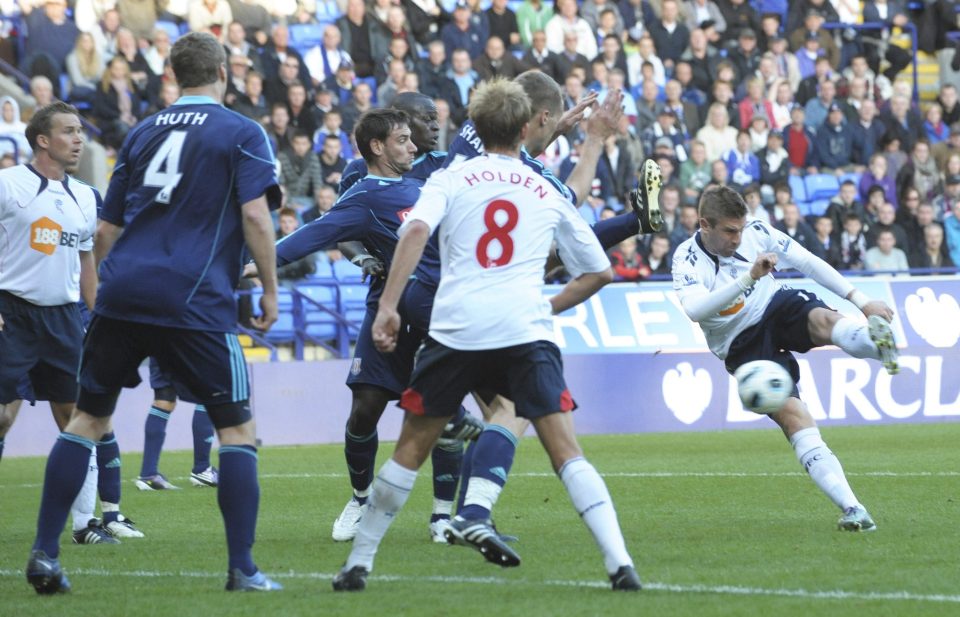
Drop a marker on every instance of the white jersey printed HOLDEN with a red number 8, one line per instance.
(498, 220)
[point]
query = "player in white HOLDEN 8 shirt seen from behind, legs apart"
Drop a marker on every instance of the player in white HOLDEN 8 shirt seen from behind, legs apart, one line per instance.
(491, 327)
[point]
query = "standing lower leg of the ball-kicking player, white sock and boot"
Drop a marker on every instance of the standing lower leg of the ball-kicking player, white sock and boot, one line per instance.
(822, 464)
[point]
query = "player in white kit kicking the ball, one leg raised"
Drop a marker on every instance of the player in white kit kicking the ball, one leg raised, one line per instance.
(723, 277)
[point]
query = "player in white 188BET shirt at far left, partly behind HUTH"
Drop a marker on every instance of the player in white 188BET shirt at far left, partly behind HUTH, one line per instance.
(48, 220)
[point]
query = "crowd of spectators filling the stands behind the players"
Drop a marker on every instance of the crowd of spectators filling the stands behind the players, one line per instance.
(758, 95)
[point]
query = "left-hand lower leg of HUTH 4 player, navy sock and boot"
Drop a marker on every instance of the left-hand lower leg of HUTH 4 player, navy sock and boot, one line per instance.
(66, 469)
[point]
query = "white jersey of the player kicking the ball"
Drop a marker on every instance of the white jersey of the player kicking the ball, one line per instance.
(695, 270)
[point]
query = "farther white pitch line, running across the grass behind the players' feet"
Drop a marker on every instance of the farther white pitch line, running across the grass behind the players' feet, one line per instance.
(617, 474)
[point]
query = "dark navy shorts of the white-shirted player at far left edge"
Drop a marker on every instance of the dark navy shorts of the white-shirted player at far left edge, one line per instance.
(39, 350)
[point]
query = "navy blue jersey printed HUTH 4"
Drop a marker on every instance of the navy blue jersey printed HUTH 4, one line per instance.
(180, 180)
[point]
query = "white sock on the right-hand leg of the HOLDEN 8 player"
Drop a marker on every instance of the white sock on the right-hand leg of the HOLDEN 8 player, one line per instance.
(592, 502)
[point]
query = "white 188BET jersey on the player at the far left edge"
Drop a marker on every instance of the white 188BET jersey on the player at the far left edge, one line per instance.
(44, 224)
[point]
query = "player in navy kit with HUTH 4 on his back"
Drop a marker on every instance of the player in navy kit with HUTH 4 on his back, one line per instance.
(192, 186)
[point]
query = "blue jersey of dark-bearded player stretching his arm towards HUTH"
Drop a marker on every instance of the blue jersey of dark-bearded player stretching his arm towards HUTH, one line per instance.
(371, 212)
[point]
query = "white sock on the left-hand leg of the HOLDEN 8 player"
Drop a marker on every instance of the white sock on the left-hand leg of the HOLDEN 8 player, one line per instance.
(390, 492)
